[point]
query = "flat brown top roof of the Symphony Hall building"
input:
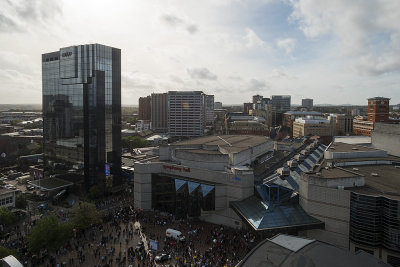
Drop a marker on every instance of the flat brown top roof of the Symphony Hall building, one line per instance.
(231, 143)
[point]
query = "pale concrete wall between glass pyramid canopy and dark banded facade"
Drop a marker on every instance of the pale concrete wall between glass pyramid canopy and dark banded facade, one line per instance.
(332, 206)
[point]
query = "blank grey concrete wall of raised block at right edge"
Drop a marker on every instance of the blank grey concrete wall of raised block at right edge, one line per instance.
(387, 137)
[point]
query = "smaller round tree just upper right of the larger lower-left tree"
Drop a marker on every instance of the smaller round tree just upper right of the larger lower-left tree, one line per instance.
(84, 215)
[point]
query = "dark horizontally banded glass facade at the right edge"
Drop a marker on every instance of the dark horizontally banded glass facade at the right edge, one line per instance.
(375, 221)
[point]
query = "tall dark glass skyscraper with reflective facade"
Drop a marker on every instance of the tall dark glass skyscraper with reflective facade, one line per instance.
(82, 113)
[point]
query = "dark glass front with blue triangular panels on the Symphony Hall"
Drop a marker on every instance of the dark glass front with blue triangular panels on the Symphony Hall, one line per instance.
(181, 197)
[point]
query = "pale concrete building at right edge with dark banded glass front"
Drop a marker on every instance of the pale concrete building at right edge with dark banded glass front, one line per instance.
(355, 192)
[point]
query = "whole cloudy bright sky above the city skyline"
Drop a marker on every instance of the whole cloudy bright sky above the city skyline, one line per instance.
(336, 52)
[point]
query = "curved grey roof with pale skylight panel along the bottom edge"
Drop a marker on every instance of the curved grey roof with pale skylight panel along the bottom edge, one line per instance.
(291, 251)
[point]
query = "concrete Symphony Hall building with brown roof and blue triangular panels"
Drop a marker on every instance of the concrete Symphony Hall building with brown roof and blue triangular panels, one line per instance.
(200, 177)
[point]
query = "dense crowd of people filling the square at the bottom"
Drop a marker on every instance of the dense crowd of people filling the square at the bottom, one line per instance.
(116, 241)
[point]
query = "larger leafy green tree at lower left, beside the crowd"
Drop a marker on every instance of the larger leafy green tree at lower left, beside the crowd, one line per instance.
(48, 233)
